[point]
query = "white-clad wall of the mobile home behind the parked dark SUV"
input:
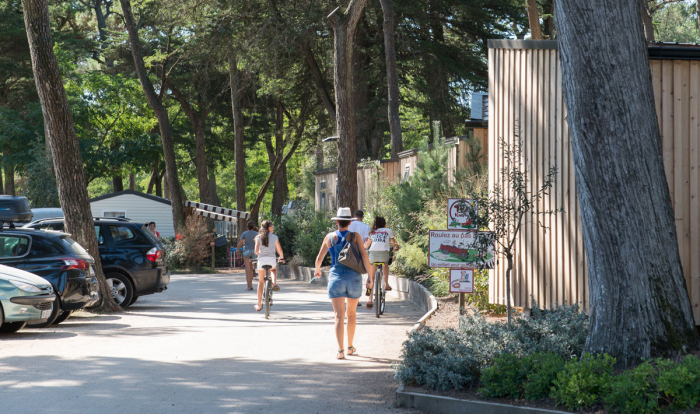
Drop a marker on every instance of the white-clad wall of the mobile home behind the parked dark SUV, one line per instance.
(139, 209)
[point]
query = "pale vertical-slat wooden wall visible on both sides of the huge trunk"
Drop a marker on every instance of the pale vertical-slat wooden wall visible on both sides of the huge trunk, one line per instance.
(525, 87)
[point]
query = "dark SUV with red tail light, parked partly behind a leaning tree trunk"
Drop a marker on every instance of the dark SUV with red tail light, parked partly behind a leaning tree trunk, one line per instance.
(132, 258)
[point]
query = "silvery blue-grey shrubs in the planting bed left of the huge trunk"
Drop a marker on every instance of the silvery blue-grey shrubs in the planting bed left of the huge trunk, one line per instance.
(461, 355)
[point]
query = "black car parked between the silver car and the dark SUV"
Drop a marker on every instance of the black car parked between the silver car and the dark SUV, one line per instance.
(57, 258)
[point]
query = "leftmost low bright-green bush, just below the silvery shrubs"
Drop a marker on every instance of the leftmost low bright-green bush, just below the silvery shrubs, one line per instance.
(504, 378)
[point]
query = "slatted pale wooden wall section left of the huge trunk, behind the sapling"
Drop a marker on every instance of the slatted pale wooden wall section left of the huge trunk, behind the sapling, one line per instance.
(525, 99)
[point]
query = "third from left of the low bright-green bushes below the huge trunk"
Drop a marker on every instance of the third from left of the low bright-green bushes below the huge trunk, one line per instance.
(582, 383)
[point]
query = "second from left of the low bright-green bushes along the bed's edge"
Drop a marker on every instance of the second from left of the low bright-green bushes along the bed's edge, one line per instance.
(542, 369)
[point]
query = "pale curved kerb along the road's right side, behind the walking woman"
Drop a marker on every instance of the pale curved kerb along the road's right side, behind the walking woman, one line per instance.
(401, 287)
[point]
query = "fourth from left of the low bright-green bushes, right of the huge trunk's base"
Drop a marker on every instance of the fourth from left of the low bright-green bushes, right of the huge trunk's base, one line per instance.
(634, 391)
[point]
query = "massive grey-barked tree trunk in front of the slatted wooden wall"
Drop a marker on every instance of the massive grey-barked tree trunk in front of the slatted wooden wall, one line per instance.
(638, 296)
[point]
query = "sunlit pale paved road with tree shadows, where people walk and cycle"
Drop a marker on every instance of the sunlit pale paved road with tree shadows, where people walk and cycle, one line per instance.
(200, 347)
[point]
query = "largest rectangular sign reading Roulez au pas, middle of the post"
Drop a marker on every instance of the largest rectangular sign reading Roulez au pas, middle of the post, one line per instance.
(458, 249)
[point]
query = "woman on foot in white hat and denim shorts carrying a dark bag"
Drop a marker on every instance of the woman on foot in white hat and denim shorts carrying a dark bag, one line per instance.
(344, 283)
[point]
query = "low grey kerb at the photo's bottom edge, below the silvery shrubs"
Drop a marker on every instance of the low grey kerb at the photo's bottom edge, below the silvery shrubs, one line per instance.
(436, 404)
